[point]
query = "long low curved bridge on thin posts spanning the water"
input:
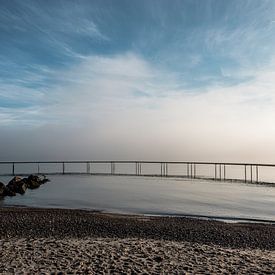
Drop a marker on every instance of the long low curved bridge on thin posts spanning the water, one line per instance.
(226, 171)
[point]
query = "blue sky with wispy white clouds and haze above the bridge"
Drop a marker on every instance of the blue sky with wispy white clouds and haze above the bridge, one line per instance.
(137, 80)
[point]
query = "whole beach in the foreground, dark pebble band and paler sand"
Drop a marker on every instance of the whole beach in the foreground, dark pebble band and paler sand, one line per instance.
(60, 241)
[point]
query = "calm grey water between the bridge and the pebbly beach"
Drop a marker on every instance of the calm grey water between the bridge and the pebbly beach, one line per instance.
(143, 195)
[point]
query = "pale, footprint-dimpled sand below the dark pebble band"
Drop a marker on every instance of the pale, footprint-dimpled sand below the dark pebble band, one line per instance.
(110, 255)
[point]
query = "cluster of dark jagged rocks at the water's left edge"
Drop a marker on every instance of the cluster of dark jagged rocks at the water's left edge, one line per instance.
(19, 185)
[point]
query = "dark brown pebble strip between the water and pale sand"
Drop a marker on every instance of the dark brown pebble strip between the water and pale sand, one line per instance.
(25, 222)
